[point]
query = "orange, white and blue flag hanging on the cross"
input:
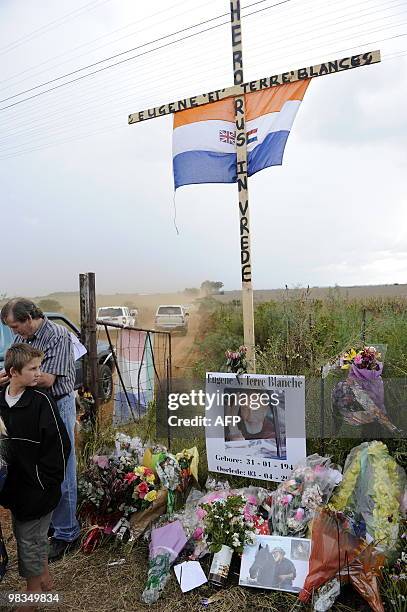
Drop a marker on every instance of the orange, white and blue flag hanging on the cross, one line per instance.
(204, 137)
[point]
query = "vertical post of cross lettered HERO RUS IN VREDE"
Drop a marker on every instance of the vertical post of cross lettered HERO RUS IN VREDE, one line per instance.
(243, 190)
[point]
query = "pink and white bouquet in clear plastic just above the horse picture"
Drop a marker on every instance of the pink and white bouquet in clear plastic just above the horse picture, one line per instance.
(295, 501)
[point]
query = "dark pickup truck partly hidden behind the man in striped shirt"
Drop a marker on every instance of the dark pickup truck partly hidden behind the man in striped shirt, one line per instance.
(105, 359)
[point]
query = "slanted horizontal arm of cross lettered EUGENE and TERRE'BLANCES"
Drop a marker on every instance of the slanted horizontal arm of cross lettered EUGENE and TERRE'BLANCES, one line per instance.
(330, 67)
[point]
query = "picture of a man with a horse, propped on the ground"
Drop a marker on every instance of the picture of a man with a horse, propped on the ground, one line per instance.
(275, 562)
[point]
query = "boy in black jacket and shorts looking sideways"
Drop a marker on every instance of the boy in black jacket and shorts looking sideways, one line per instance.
(37, 448)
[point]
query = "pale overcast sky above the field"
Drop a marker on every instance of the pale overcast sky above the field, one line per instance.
(83, 191)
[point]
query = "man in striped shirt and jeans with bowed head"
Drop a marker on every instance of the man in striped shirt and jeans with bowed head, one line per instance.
(30, 325)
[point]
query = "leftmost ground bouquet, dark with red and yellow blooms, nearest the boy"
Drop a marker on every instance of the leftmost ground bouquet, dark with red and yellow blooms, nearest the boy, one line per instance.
(110, 490)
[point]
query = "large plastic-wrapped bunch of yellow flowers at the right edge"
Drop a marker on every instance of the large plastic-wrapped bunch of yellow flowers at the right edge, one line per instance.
(373, 487)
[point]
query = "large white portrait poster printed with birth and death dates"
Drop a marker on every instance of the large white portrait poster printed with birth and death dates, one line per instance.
(255, 424)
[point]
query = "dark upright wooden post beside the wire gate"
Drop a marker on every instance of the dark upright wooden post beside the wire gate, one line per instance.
(87, 296)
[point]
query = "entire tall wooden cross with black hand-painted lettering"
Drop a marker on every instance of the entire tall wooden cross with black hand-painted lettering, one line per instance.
(237, 91)
